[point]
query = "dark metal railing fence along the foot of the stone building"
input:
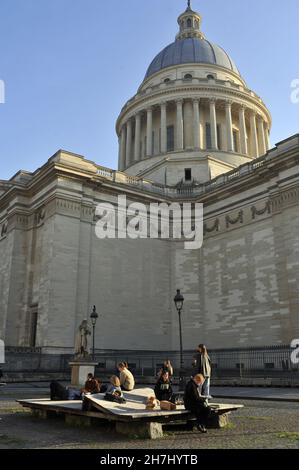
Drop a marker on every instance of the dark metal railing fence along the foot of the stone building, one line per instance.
(266, 362)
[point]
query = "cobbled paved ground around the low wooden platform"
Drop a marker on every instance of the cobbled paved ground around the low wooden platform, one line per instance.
(260, 425)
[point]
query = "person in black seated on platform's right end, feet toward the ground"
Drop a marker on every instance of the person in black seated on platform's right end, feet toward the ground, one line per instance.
(196, 403)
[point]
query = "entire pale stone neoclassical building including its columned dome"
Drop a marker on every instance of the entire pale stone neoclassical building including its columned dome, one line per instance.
(193, 132)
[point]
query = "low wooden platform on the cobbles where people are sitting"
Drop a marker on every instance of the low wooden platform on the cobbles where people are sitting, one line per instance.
(130, 418)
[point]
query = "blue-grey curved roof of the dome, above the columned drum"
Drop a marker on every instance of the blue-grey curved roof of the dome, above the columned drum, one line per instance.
(191, 50)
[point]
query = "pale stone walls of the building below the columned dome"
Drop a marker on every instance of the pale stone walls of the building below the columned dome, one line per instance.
(240, 288)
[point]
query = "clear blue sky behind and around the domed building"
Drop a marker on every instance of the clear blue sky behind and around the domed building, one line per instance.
(70, 65)
